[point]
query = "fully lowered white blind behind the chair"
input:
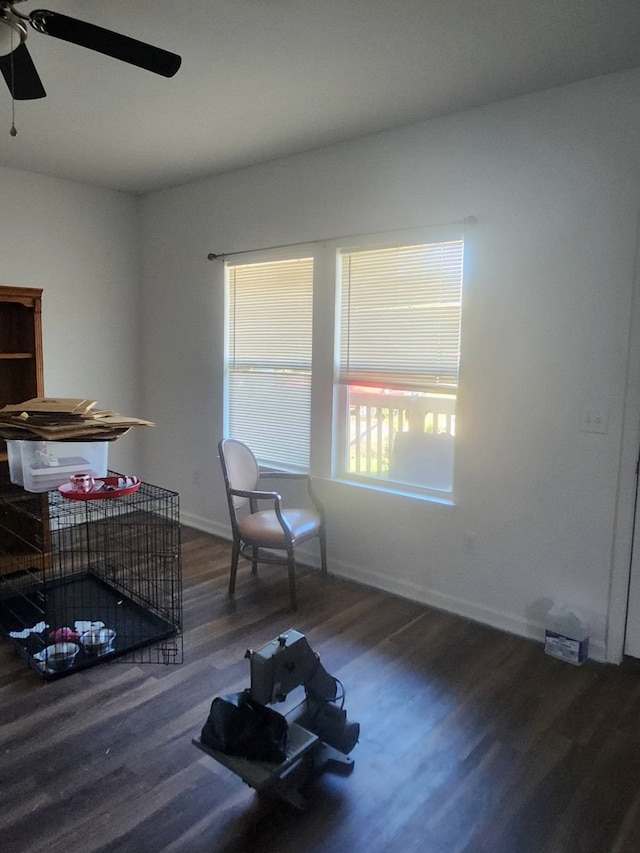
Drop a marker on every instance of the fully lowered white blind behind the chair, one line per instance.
(269, 332)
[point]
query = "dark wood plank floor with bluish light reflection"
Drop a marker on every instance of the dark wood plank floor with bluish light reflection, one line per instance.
(472, 740)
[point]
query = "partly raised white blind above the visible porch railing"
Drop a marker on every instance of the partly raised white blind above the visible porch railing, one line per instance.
(400, 318)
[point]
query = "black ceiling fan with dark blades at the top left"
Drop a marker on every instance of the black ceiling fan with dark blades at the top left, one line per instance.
(20, 73)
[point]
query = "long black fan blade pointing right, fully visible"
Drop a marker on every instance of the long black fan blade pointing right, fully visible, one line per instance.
(105, 41)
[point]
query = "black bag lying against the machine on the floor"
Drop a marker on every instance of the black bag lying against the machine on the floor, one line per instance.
(237, 725)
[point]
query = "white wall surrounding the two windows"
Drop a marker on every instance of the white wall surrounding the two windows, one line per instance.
(554, 182)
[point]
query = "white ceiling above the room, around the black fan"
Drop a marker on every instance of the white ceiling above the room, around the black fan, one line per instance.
(261, 79)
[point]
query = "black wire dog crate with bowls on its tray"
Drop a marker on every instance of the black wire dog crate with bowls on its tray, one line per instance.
(91, 580)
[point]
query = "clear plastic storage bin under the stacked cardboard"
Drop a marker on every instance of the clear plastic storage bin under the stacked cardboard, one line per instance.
(41, 466)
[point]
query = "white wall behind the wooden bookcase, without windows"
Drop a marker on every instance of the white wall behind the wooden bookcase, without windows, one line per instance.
(80, 244)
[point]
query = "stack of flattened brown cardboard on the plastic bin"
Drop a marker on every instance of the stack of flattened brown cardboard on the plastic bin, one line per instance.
(63, 419)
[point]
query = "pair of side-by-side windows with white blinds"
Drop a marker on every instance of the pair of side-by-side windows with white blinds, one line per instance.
(379, 406)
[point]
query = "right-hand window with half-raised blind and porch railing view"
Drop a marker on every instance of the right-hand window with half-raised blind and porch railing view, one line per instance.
(400, 311)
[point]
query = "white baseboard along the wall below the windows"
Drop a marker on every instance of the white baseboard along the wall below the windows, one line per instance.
(501, 620)
